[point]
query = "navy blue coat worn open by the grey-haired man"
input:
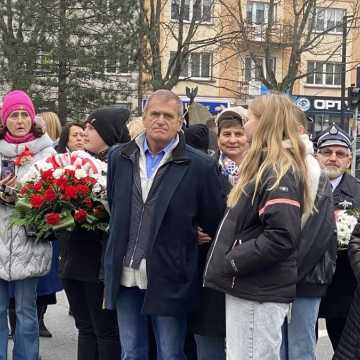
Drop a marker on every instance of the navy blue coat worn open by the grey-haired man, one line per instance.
(191, 195)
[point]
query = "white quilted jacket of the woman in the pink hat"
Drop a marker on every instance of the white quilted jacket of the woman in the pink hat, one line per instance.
(20, 258)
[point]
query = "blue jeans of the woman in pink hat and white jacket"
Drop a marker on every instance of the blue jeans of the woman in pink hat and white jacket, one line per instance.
(26, 341)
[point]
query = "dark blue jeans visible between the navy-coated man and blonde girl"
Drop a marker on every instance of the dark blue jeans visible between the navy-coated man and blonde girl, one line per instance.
(210, 347)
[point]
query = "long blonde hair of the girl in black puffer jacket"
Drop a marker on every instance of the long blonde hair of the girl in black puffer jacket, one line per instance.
(278, 125)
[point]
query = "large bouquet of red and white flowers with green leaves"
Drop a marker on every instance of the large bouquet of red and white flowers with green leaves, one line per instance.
(61, 192)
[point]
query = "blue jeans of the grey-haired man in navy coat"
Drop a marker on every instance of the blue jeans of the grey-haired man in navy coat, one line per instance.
(169, 331)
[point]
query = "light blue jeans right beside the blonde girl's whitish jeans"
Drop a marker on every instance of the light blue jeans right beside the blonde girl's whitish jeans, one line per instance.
(299, 339)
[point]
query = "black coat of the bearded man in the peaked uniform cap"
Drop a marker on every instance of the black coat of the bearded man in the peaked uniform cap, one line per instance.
(339, 295)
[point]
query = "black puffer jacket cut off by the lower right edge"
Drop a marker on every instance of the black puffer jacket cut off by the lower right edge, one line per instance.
(349, 345)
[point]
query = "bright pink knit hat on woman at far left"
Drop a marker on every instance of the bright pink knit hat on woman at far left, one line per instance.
(16, 100)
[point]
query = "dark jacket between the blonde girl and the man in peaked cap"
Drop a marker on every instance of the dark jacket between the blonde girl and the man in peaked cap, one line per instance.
(317, 246)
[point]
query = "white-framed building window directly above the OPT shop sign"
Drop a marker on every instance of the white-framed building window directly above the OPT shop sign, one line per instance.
(320, 73)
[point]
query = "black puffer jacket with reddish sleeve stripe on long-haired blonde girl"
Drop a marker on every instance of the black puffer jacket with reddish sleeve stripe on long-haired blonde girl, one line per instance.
(254, 253)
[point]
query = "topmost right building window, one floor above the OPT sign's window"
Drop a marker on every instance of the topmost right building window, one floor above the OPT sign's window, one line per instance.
(328, 19)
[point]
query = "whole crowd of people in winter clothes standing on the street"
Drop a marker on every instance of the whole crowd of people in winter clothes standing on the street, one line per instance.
(209, 255)
